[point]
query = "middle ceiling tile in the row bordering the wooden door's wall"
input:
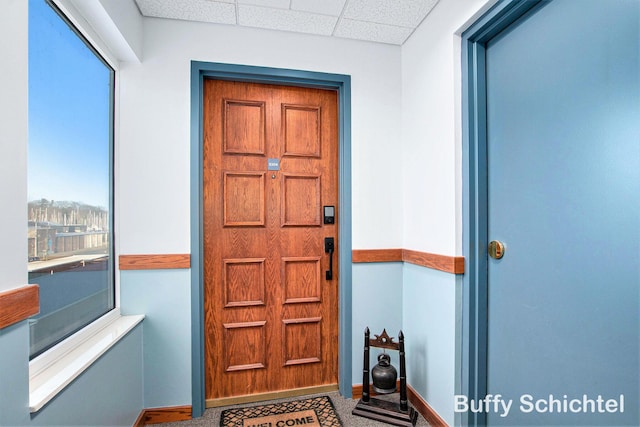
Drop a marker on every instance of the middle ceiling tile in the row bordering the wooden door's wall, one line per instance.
(286, 20)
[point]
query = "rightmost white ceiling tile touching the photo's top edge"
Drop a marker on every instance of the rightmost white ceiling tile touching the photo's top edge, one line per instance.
(403, 13)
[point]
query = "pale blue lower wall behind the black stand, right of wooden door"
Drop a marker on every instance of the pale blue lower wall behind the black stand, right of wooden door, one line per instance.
(422, 302)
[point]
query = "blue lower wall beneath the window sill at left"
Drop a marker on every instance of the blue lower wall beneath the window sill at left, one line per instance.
(109, 393)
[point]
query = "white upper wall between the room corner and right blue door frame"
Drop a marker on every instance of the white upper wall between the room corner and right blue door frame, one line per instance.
(431, 129)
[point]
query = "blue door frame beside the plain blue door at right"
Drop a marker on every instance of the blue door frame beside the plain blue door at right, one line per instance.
(473, 363)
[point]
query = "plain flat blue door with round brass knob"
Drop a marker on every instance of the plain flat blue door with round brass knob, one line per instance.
(563, 163)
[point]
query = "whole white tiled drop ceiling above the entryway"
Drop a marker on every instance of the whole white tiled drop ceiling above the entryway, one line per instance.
(381, 21)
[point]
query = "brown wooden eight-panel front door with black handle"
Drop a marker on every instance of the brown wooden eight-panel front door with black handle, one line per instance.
(270, 166)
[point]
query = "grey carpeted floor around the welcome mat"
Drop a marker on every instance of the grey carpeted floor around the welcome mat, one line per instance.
(211, 417)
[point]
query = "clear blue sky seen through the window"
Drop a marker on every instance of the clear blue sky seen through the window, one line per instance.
(68, 158)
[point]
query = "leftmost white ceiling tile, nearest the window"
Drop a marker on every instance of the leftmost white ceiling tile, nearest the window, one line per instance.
(219, 12)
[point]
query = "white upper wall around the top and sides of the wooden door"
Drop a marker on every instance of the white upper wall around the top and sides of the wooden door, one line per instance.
(153, 139)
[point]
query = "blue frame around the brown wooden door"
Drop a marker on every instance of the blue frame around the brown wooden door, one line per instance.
(342, 83)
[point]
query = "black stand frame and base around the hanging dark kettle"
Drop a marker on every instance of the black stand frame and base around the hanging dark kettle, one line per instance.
(399, 414)
